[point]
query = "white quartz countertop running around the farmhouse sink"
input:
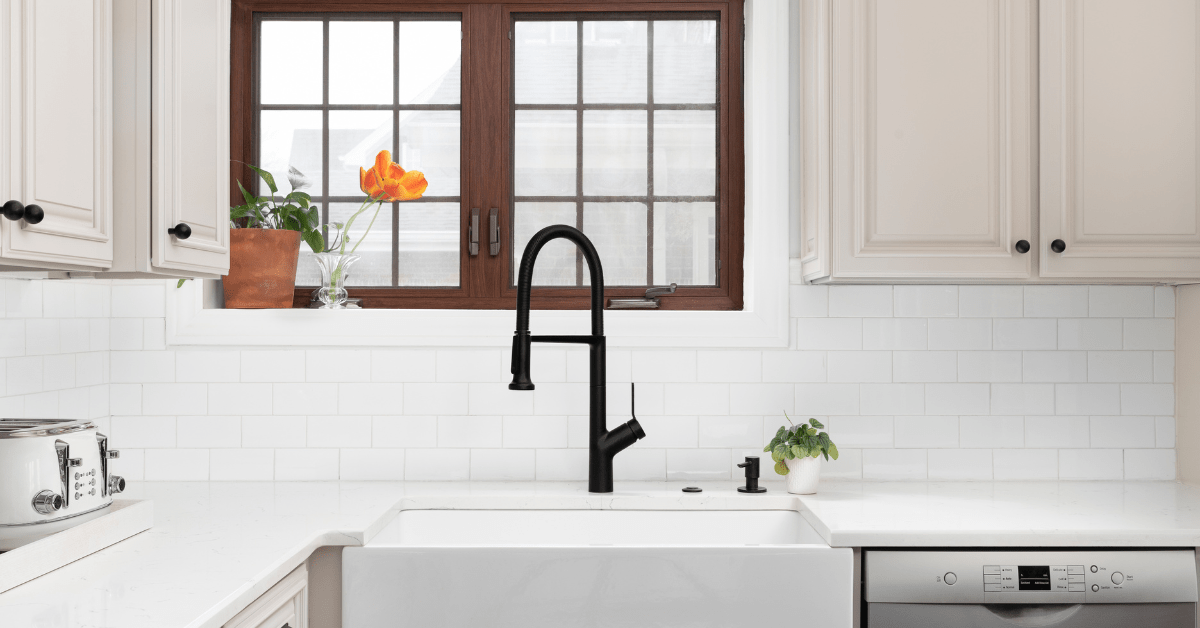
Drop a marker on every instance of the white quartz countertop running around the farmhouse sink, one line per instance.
(217, 547)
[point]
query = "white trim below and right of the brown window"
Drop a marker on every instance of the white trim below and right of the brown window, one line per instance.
(764, 324)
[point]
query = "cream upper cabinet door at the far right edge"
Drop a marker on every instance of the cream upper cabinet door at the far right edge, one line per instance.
(1119, 140)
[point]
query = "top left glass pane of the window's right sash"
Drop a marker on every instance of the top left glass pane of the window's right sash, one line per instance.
(547, 63)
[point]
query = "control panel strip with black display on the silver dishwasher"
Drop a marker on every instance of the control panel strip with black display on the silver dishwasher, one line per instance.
(973, 577)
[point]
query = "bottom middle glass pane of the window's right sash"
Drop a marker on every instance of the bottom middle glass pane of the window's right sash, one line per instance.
(619, 232)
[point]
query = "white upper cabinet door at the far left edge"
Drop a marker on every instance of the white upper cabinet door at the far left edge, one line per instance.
(57, 134)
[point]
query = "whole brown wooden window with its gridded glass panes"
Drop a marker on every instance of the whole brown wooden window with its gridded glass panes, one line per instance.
(625, 122)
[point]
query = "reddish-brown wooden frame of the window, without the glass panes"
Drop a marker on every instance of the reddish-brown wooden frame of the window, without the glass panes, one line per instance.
(488, 141)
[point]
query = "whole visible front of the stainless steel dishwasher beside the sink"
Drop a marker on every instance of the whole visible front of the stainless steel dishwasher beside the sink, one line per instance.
(1102, 589)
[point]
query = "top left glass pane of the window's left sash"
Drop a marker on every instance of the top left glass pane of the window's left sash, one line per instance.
(290, 64)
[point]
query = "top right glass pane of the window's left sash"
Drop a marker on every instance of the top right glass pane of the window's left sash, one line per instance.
(430, 63)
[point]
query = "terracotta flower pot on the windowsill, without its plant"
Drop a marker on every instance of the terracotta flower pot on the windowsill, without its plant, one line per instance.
(262, 268)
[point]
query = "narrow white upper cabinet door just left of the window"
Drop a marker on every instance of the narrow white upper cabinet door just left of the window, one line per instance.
(191, 135)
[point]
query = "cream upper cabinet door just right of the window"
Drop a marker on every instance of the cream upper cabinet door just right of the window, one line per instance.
(932, 139)
